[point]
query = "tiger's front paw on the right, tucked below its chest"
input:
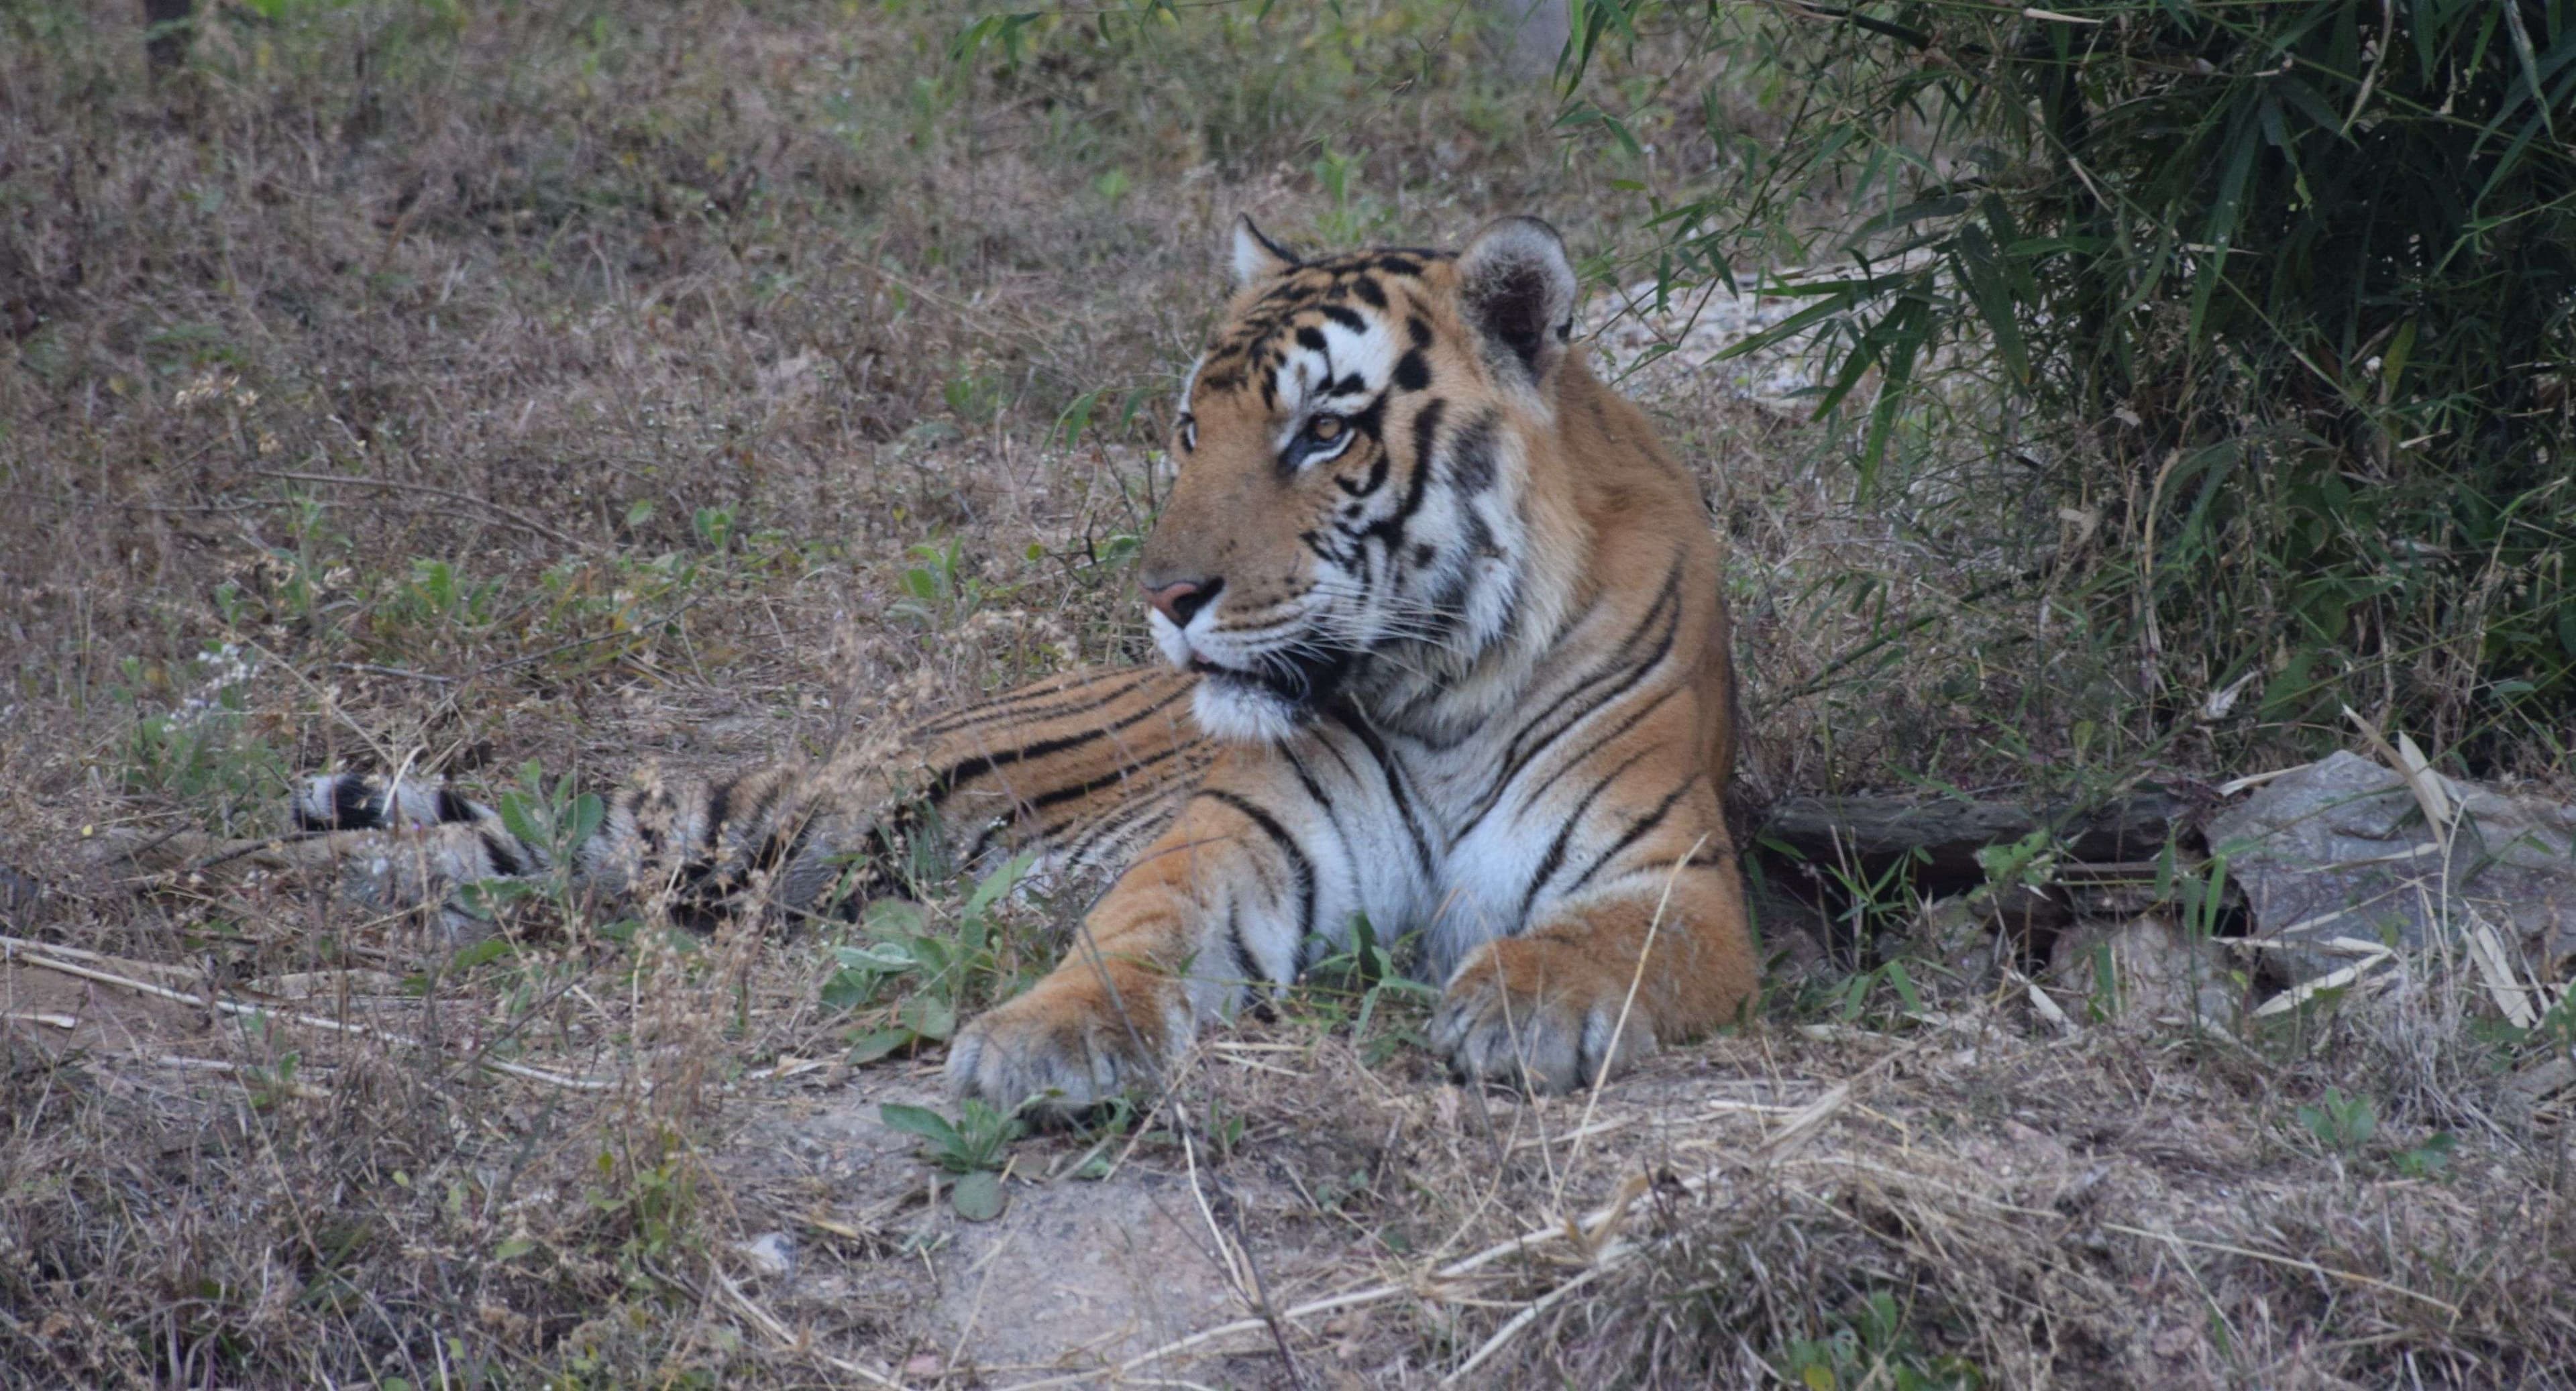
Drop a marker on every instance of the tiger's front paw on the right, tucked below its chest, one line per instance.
(1539, 1014)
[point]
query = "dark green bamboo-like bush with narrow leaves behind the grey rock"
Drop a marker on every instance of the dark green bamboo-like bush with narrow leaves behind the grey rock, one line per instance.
(2281, 295)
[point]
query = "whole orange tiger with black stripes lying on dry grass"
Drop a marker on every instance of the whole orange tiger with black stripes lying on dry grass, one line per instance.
(1444, 650)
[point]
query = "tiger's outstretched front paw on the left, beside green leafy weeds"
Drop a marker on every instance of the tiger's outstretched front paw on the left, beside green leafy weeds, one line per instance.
(1075, 1039)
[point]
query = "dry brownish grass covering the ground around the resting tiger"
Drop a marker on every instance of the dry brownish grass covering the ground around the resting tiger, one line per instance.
(710, 383)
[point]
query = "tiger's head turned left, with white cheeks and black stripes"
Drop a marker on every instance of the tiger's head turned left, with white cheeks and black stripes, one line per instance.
(1356, 511)
